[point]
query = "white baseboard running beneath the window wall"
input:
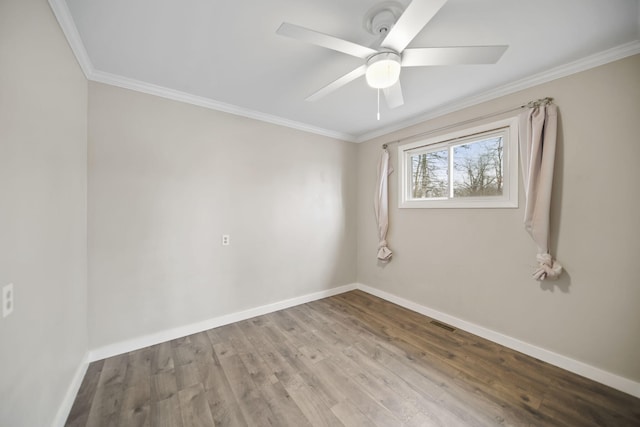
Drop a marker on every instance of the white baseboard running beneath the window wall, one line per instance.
(607, 378)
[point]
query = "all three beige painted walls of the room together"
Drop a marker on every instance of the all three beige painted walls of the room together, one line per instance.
(166, 180)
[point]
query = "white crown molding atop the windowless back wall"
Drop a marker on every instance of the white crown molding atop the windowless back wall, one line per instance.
(164, 92)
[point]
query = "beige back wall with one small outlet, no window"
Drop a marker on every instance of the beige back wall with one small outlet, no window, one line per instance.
(167, 179)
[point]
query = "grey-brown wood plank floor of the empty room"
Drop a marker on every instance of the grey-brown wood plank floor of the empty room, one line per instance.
(352, 360)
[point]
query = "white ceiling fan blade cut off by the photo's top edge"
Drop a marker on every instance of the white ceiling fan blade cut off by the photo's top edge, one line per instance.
(414, 18)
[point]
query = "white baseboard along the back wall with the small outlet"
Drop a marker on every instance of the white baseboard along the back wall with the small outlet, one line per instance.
(170, 334)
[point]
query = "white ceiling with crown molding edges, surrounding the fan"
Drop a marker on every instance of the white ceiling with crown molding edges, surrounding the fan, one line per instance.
(227, 55)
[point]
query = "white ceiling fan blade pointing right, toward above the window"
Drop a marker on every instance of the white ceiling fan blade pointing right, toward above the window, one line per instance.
(427, 56)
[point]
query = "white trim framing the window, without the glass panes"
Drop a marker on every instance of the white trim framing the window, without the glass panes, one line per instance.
(509, 198)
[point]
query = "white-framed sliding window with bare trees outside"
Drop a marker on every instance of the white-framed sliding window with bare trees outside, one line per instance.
(473, 168)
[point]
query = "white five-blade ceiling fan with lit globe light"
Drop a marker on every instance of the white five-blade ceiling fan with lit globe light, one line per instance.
(397, 29)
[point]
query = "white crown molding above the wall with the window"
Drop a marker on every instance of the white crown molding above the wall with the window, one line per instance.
(601, 58)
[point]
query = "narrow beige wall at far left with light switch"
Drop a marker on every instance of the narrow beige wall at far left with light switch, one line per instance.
(43, 134)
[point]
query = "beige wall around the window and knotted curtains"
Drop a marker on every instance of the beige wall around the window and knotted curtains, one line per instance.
(476, 264)
